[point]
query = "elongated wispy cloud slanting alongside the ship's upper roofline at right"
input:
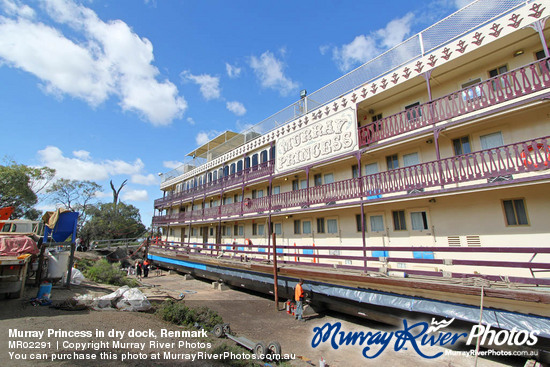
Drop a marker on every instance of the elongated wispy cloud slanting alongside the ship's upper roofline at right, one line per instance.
(365, 47)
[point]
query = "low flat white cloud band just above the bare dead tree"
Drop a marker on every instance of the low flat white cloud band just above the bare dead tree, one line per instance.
(76, 168)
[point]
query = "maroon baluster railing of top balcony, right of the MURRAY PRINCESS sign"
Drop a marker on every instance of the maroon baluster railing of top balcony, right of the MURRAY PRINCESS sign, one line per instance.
(512, 85)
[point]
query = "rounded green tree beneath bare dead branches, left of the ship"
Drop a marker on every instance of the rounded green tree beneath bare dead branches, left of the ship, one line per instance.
(107, 221)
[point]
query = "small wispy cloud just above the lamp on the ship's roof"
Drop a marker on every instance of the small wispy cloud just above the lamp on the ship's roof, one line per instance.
(269, 71)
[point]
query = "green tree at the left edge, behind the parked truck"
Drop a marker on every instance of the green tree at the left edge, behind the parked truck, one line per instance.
(20, 186)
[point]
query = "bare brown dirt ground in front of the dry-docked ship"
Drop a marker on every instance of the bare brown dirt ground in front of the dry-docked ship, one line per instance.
(250, 315)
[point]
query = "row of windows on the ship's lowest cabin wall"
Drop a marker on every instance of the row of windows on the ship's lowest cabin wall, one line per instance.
(515, 214)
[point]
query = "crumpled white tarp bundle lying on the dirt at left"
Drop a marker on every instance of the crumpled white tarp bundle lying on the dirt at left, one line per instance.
(124, 299)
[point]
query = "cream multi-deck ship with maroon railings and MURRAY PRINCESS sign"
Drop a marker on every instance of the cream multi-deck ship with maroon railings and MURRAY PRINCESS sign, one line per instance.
(416, 183)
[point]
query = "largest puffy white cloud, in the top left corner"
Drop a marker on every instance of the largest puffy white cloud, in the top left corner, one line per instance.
(104, 59)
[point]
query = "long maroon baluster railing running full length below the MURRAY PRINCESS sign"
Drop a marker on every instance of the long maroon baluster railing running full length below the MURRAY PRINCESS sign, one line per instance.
(496, 164)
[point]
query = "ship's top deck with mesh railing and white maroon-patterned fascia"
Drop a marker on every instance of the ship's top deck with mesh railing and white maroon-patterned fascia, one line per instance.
(481, 22)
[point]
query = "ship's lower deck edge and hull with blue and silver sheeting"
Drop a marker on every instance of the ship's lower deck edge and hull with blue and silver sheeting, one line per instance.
(374, 295)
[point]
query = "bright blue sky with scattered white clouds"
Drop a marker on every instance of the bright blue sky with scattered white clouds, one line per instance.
(124, 89)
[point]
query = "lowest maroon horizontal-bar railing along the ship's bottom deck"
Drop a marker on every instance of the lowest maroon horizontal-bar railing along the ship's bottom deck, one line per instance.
(497, 268)
